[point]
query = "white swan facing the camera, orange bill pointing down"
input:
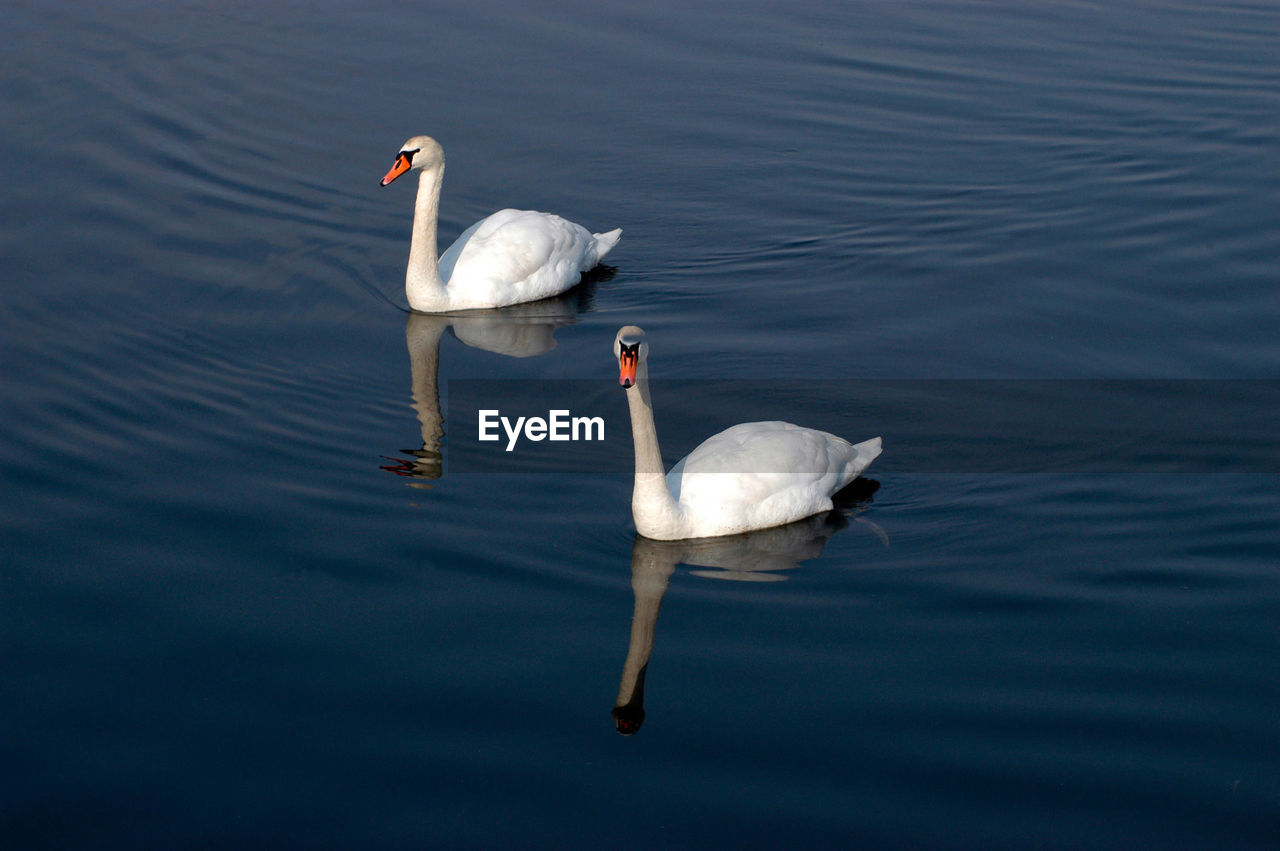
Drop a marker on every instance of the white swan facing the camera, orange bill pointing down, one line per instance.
(755, 475)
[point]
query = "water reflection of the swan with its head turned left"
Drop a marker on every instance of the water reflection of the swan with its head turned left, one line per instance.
(522, 331)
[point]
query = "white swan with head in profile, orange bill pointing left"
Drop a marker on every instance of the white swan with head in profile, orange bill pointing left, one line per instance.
(510, 258)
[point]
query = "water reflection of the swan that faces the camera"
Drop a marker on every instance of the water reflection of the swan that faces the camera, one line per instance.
(762, 556)
